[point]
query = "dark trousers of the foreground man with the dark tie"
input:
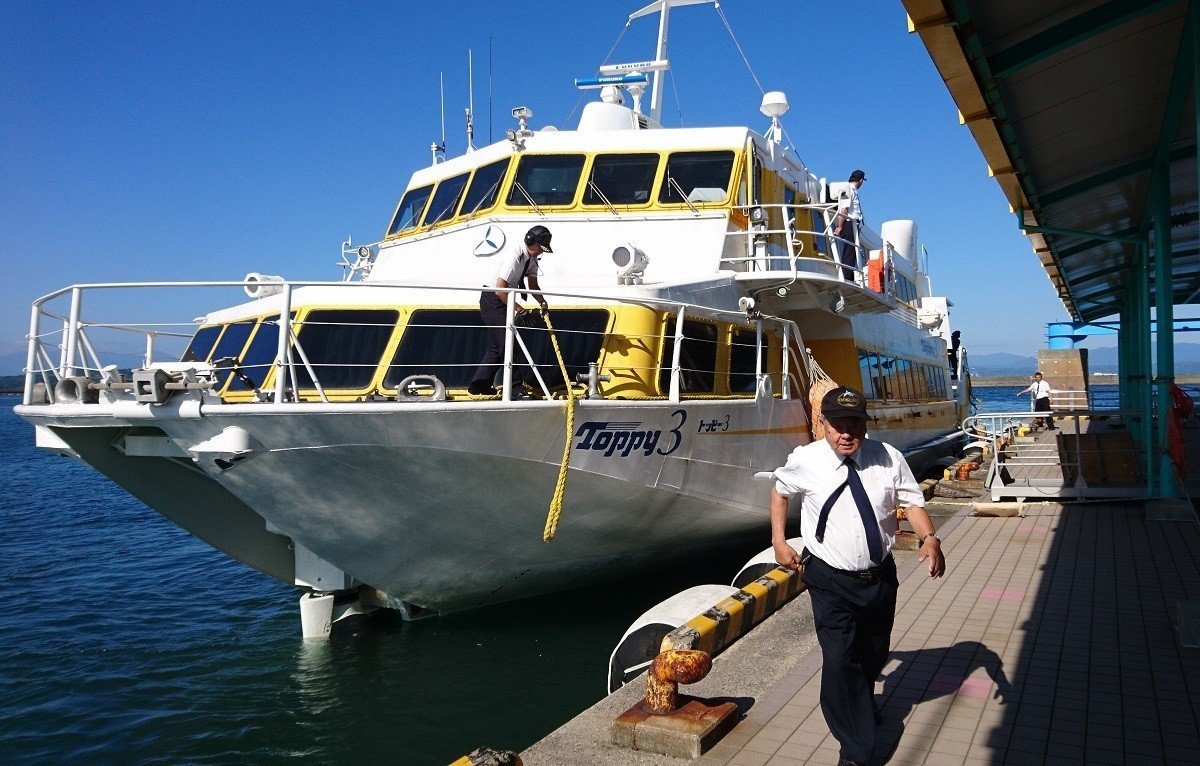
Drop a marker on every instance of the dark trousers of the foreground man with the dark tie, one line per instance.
(854, 620)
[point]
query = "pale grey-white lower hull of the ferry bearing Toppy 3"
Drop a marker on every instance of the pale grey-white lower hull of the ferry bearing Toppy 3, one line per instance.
(442, 507)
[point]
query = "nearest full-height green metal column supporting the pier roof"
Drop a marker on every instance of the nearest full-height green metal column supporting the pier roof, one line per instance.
(1165, 309)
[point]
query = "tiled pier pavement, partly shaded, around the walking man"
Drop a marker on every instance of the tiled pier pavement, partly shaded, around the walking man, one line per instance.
(1049, 642)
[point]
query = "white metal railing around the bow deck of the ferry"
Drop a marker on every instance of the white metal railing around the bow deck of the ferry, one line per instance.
(64, 344)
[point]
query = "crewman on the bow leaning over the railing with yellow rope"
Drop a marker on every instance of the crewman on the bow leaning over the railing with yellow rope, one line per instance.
(518, 270)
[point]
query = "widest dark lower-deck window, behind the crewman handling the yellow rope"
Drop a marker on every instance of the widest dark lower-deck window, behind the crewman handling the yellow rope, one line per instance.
(449, 344)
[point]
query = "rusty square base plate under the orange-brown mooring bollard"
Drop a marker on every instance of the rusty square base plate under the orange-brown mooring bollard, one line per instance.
(687, 733)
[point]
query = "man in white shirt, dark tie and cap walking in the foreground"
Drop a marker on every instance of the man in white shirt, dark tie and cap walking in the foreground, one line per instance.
(850, 488)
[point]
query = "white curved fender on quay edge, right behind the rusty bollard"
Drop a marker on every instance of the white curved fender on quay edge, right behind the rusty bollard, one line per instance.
(644, 639)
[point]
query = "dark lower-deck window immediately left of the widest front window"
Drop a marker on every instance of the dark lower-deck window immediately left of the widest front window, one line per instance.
(344, 346)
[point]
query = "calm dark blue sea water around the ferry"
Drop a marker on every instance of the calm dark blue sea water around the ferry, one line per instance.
(129, 641)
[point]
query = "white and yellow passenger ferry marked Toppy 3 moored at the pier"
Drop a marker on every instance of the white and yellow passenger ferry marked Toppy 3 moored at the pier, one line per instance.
(322, 433)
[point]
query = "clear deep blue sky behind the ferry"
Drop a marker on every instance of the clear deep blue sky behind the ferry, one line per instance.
(176, 141)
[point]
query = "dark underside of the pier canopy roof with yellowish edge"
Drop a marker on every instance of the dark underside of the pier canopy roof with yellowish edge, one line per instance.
(1077, 106)
